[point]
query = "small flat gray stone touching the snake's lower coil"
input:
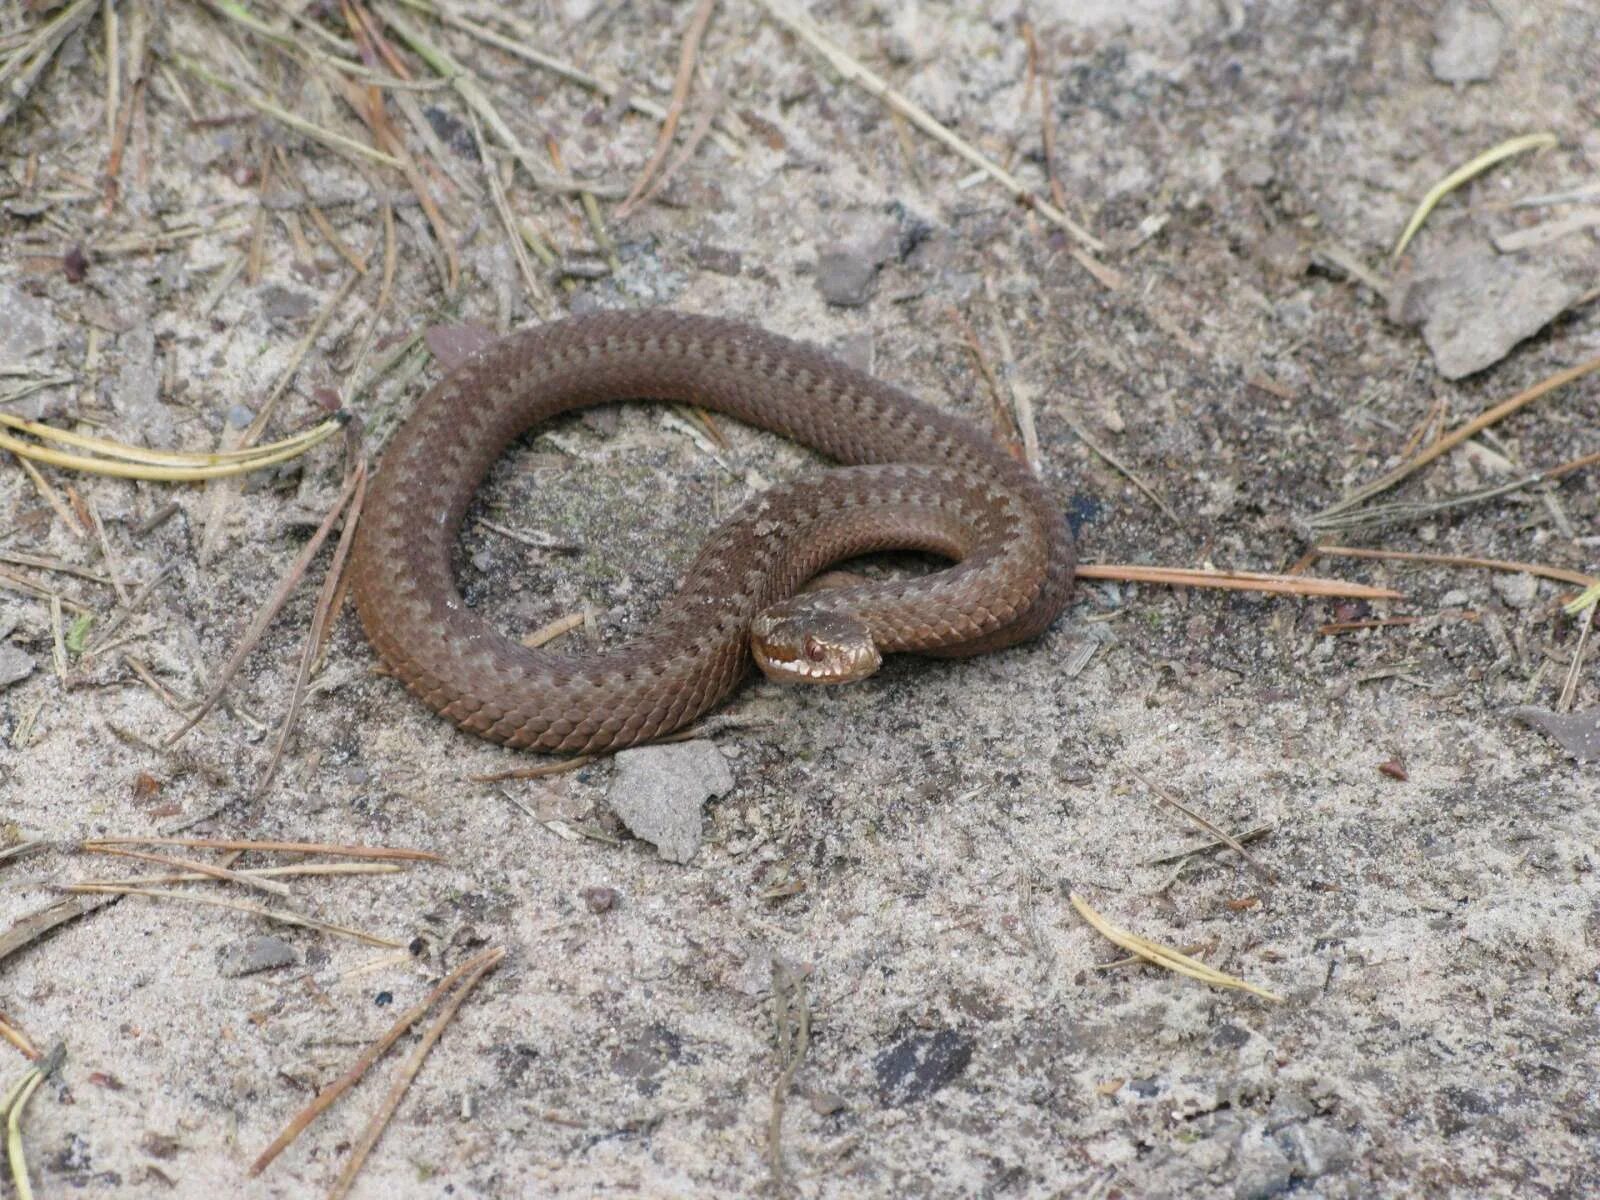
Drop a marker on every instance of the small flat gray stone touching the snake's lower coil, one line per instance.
(658, 793)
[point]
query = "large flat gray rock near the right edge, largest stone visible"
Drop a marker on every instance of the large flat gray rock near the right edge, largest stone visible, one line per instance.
(1474, 305)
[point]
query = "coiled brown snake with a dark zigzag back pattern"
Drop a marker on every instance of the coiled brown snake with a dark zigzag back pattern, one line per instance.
(935, 484)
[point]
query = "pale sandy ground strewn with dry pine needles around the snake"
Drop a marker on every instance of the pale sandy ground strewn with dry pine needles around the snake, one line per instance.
(906, 846)
